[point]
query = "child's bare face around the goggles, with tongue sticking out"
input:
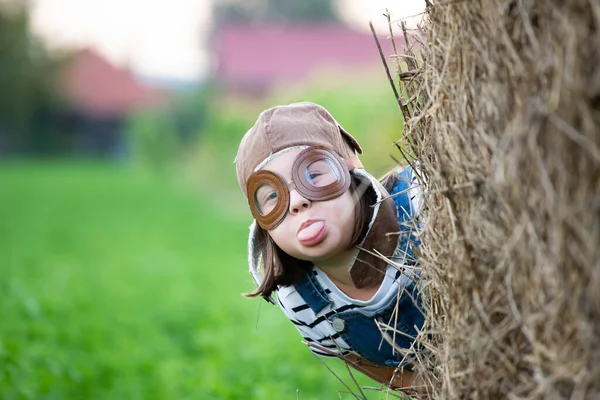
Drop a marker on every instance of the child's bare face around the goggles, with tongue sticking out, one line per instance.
(315, 231)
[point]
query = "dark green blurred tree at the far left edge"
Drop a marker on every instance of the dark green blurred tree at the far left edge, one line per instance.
(28, 75)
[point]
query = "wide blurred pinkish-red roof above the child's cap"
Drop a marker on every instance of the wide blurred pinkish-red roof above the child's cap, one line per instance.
(261, 55)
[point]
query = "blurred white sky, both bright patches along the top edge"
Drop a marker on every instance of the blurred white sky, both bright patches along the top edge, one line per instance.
(166, 38)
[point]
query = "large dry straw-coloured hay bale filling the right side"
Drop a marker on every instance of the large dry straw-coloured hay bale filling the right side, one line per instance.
(509, 139)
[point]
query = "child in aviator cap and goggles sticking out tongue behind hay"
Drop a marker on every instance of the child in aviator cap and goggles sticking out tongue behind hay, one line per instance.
(320, 220)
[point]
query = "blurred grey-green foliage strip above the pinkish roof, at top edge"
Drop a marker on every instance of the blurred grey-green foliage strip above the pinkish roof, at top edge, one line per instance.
(237, 11)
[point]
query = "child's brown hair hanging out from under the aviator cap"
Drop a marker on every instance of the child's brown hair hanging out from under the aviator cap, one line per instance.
(281, 269)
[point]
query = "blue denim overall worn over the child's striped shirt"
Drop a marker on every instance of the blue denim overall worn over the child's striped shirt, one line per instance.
(358, 328)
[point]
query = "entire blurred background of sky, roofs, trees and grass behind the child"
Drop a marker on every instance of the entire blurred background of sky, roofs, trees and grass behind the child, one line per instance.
(122, 229)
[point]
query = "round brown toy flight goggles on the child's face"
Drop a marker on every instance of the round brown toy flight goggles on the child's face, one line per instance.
(318, 174)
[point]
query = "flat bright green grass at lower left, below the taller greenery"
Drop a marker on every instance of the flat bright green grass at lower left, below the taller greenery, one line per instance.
(118, 286)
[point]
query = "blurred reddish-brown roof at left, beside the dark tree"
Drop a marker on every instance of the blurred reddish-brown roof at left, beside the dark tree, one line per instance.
(95, 86)
